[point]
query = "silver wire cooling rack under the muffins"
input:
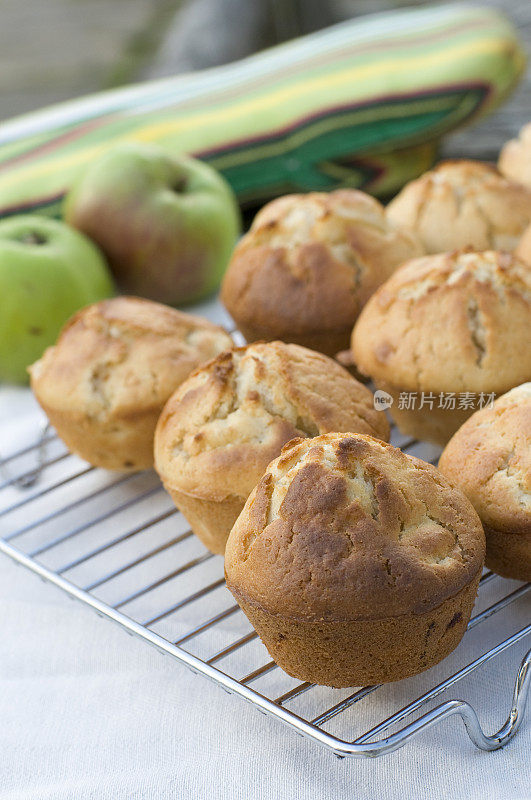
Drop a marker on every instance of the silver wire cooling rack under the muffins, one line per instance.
(116, 543)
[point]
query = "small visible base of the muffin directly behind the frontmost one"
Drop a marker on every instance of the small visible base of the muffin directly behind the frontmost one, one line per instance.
(210, 520)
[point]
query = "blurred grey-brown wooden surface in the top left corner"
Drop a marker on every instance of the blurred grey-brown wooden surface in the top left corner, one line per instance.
(54, 50)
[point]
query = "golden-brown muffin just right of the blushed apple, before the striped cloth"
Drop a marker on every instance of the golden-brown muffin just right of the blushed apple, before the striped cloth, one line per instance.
(308, 265)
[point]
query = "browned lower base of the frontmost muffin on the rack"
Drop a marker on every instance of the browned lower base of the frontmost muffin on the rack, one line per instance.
(366, 651)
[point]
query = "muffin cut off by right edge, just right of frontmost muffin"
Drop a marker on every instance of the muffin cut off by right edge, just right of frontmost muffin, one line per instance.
(489, 459)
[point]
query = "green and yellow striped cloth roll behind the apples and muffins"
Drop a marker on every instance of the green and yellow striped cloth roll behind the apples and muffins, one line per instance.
(362, 104)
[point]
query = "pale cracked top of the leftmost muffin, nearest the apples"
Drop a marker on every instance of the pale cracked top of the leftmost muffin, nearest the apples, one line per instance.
(122, 356)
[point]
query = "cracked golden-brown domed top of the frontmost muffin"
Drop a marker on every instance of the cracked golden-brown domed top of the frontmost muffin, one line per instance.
(346, 527)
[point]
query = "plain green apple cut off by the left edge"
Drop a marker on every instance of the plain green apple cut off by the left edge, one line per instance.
(47, 271)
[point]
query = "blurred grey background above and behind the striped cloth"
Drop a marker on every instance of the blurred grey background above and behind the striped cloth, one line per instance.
(53, 50)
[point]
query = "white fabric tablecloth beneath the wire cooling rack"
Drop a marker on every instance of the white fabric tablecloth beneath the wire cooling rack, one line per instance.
(88, 713)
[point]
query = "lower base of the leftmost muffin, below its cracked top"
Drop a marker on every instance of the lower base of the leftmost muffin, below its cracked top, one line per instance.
(123, 444)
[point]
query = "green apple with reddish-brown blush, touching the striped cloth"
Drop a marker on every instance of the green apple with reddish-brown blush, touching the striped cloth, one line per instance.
(166, 224)
